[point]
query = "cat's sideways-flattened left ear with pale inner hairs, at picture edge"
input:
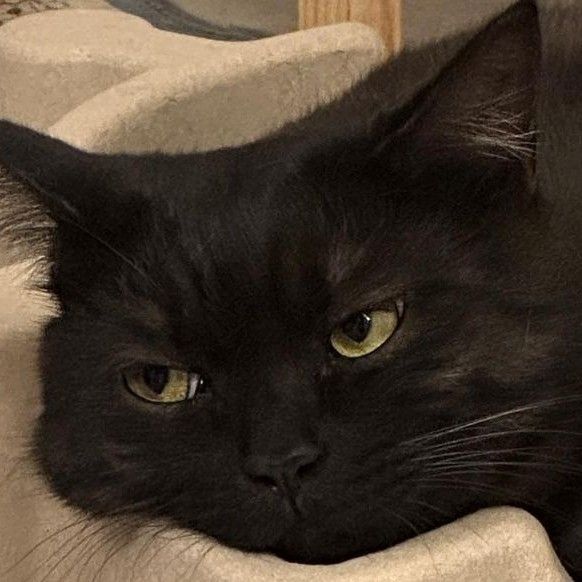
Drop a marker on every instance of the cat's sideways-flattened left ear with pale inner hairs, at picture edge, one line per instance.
(66, 205)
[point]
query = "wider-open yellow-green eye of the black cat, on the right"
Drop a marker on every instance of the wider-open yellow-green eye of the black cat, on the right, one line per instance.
(364, 332)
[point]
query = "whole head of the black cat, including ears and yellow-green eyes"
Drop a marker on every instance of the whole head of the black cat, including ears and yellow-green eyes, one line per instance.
(278, 344)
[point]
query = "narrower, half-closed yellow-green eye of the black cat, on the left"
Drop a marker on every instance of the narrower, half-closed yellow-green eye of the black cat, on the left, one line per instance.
(163, 385)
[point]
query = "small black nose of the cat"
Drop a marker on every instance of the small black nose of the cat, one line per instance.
(283, 472)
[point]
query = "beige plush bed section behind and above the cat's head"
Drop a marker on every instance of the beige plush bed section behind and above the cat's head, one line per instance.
(108, 81)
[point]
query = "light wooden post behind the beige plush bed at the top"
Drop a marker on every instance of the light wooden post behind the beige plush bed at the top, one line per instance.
(383, 15)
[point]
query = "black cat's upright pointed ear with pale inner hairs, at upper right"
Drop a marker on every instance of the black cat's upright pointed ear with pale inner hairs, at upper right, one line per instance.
(483, 103)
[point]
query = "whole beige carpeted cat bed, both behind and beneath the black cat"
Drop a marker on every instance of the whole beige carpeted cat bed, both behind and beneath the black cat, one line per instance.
(110, 82)
